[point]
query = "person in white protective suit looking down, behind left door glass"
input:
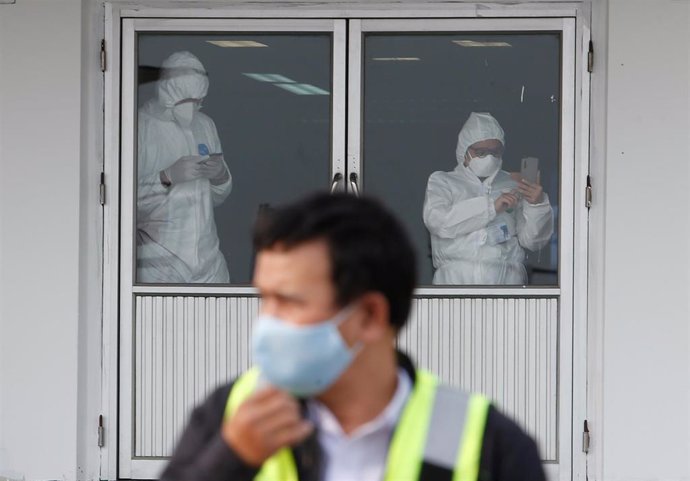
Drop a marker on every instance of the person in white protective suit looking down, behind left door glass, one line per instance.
(182, 177)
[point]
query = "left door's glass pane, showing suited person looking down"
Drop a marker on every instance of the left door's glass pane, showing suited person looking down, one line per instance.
(227, 125)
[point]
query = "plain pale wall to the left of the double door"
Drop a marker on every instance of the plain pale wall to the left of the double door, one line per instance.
(40, 112)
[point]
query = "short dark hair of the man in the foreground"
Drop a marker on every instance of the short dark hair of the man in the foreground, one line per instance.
(369, 249)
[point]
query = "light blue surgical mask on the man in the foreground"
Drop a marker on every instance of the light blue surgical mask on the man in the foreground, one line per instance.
(303, 360)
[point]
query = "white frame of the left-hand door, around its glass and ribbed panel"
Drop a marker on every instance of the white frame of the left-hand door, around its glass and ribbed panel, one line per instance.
(128, 466)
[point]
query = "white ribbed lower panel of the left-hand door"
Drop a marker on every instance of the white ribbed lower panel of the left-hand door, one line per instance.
(183, 348)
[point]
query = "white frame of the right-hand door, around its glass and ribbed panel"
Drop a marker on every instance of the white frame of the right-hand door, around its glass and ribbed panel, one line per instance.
(566, 248)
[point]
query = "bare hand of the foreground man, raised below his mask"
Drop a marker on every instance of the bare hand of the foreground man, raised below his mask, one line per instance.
(267, 421)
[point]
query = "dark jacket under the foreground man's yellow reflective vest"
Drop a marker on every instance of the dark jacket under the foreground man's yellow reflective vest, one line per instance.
(508, 454)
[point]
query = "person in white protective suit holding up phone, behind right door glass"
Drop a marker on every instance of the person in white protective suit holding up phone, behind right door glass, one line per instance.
(479, 218)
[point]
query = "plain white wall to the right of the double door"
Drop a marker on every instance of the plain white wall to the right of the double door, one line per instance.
(646, 370)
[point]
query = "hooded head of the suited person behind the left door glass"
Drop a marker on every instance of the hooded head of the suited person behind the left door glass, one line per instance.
(183, 77)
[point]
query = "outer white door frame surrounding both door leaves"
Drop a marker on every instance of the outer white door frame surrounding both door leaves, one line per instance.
(116, 11)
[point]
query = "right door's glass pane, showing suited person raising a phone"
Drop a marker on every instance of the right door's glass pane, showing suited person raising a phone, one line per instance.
(473, 221)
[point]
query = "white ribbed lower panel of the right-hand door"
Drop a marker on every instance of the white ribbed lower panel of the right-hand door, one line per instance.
(505, 348)
